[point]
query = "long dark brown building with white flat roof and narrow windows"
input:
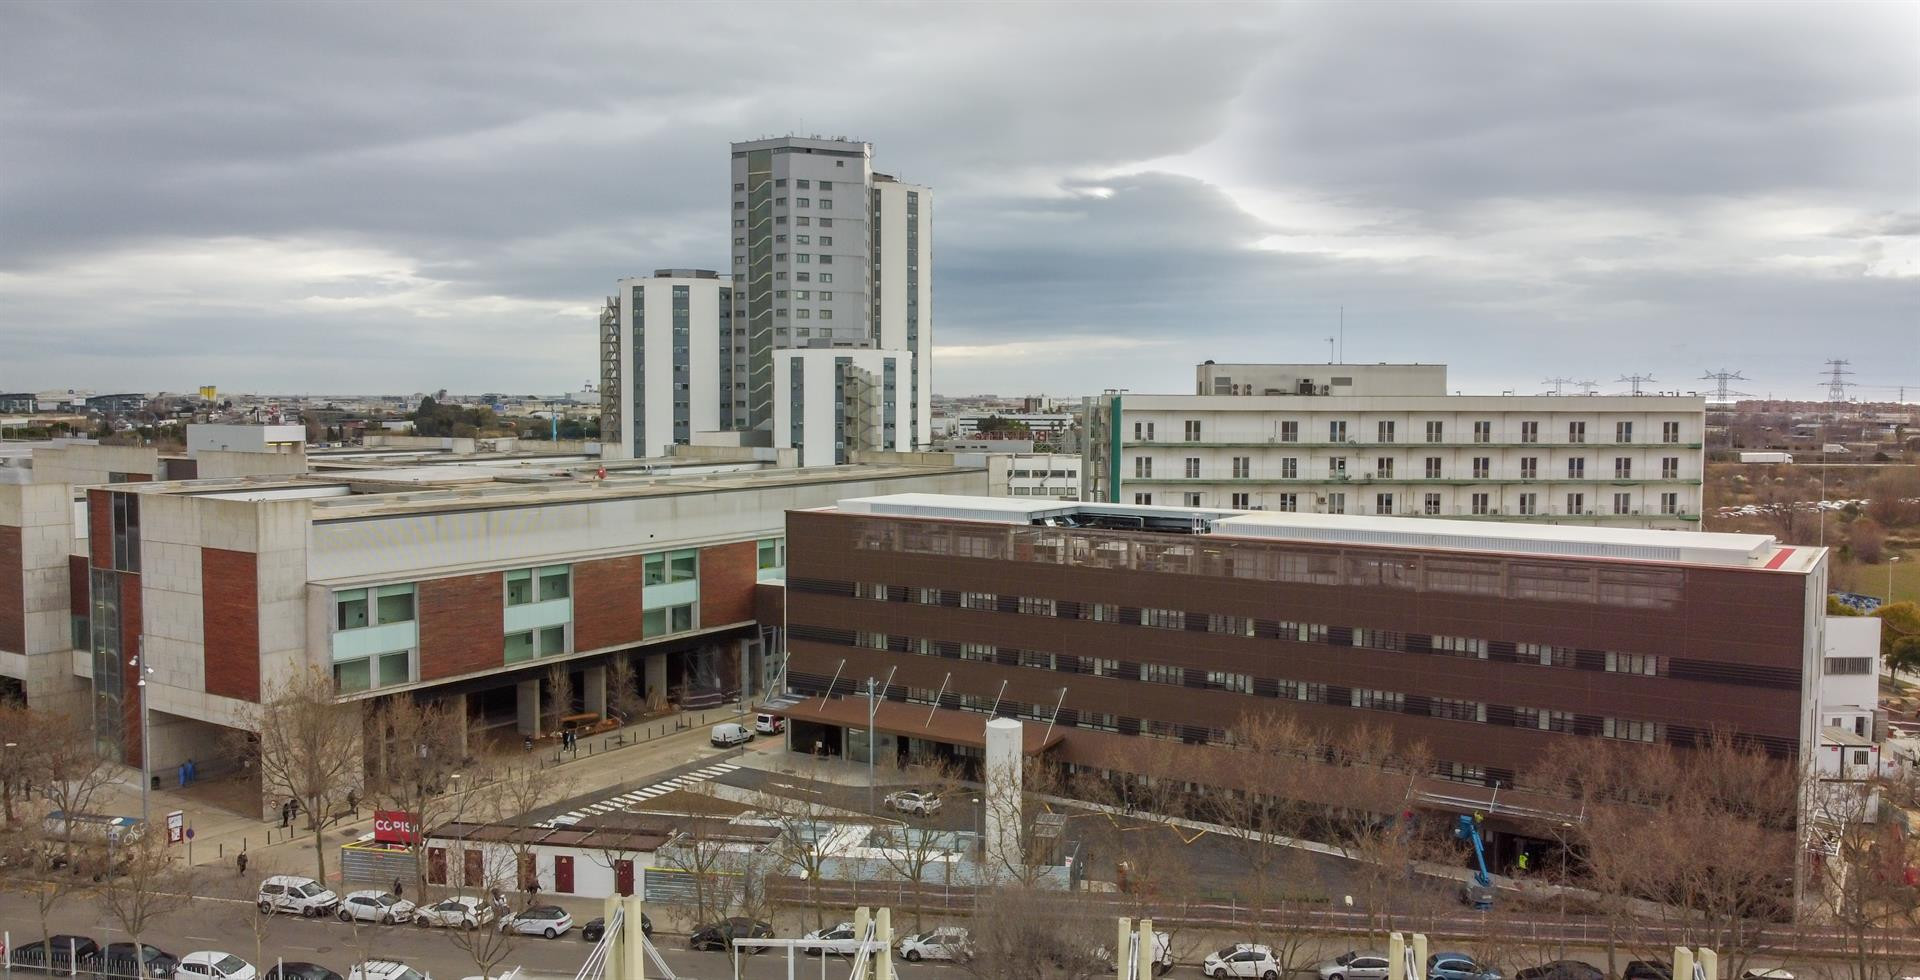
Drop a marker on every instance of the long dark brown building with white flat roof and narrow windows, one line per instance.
(1109, 624)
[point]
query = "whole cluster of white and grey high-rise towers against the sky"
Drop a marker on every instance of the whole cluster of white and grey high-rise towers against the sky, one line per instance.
(828, 257)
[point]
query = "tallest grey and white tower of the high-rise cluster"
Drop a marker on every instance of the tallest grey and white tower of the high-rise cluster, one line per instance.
(827, 255)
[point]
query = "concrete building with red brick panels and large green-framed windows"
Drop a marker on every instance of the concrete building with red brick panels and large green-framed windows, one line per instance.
(448, 583)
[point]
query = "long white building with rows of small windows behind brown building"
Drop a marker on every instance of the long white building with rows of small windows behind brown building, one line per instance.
(1572, 460)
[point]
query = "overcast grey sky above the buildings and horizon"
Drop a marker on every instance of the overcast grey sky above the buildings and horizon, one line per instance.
(393, 199)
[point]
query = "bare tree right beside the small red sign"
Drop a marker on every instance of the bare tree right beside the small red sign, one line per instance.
(420, 750)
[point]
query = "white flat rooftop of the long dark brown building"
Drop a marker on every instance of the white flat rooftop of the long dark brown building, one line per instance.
(1422, 533)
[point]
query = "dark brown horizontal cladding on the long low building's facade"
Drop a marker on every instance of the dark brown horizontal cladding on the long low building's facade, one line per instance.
(1725, 622)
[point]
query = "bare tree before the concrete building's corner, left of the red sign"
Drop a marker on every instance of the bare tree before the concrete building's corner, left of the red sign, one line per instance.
(310, 748)
